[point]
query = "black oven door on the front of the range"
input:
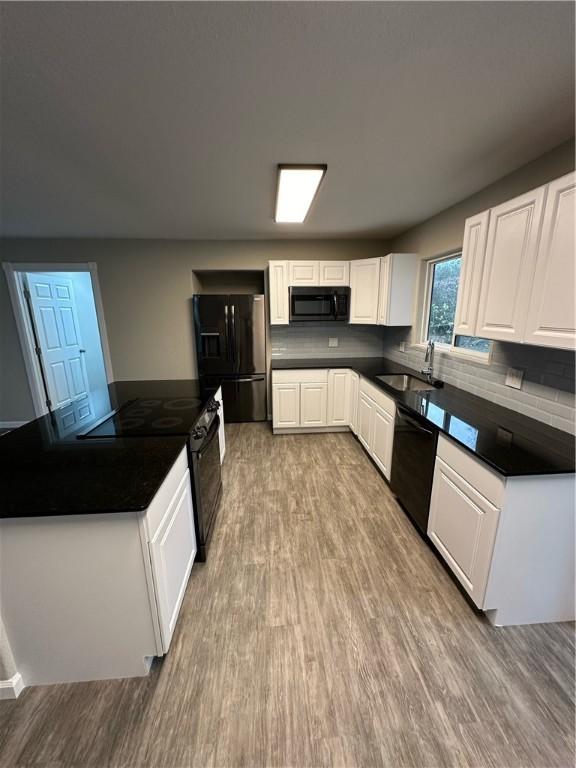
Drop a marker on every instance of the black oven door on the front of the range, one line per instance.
(207, 486)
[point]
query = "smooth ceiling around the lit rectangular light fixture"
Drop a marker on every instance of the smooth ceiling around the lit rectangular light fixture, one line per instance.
(168, 119)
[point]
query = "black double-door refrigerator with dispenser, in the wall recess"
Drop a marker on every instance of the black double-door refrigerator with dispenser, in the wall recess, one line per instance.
(231, 348)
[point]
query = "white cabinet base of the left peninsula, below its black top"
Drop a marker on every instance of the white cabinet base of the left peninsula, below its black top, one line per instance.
(91, 597)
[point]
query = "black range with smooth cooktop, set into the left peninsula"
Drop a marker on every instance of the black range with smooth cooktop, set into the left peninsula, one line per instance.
(195, 417)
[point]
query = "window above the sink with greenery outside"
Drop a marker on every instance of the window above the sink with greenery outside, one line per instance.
(442, 280)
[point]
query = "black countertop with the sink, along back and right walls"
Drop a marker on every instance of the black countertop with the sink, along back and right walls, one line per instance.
(509, 442)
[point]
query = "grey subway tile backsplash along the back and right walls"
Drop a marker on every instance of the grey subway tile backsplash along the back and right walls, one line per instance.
(547, 392)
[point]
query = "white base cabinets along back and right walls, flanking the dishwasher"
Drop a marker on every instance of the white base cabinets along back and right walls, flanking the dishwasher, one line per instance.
(509, 541)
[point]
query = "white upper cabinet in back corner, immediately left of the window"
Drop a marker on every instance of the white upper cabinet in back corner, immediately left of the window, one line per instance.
(398, 273)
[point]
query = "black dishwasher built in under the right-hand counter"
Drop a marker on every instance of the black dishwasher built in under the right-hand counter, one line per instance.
(413, 457)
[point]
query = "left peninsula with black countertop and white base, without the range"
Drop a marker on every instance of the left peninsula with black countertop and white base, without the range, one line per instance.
(97, 541)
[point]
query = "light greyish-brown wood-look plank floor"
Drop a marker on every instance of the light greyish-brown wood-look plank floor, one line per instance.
(321, 632)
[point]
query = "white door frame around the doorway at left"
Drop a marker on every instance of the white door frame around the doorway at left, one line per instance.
(24, 326)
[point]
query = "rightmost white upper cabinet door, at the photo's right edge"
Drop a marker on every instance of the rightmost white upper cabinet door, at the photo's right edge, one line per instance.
(551, 310)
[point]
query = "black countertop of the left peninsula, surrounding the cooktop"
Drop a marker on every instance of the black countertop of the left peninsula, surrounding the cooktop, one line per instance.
(46, 471)
